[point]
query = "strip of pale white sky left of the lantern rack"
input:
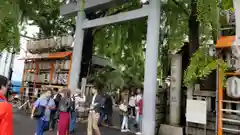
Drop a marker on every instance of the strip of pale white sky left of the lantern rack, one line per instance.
(19, 64)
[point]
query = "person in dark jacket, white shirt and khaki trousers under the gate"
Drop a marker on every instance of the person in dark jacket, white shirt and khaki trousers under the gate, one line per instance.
(94, 111)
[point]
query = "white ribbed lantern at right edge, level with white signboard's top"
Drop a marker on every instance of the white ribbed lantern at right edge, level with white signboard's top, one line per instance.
(233, 84)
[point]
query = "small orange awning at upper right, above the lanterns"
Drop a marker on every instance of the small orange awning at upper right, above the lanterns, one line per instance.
(225, 41)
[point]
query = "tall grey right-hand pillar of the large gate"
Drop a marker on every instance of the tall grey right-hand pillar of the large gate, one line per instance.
(151, 63)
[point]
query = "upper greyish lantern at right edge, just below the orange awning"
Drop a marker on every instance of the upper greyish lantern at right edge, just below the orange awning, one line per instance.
(232, 61)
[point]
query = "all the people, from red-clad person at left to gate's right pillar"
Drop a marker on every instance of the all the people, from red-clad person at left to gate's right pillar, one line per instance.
(61, 108)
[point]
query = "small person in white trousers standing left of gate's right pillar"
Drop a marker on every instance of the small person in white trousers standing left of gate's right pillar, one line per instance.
(124, 110)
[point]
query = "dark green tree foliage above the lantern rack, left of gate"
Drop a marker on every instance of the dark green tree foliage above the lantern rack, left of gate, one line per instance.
(46, 15)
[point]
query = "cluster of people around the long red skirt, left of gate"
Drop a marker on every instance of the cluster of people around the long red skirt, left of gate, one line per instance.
(58, 107)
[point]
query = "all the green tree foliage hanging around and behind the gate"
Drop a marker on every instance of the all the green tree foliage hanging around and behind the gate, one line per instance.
(124, 43)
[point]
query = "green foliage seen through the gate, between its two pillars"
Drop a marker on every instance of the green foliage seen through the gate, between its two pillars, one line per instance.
(124, 44)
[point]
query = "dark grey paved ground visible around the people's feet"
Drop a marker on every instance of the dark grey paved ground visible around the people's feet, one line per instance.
(23, 125)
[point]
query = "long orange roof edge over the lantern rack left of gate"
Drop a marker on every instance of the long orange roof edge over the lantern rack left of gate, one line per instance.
(57, 55)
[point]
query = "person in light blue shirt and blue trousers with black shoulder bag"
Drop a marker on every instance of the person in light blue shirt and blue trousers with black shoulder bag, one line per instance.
(41, 111)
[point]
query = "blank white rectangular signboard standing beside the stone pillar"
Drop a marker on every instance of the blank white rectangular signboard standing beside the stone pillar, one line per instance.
(196, 111)
